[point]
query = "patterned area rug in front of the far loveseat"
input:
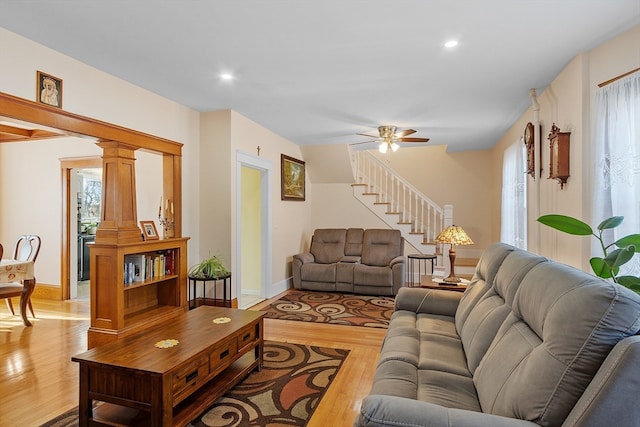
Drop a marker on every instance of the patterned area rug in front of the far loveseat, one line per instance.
(335, 308)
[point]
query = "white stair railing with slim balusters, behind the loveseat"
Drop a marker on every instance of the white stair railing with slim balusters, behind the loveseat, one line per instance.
(423, 215)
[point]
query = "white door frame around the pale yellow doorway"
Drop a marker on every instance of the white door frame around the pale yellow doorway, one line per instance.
(266, 171)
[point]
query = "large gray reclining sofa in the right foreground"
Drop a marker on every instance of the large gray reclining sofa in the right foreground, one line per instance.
(530, 342)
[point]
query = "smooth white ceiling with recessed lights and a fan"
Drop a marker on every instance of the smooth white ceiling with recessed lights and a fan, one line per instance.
(319, 72)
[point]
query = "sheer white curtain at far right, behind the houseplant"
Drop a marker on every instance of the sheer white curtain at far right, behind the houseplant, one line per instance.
(616, 146)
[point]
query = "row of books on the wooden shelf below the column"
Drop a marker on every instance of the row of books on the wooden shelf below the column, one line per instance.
(147, 266)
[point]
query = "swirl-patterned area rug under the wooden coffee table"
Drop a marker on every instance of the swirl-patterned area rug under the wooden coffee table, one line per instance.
(285, 393)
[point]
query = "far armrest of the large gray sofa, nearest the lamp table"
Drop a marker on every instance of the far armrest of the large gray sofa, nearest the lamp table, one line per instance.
(432, 301)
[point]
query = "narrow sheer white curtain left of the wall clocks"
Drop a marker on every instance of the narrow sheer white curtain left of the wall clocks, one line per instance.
(514, 196)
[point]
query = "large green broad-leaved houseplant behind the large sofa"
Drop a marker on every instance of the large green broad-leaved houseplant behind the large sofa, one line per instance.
(615, 254)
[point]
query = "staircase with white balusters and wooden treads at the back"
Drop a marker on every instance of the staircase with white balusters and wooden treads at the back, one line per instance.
(402, 207)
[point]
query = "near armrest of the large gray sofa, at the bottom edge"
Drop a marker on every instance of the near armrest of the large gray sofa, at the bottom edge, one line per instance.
(392, 411)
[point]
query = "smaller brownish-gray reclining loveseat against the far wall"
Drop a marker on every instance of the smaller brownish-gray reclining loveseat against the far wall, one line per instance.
(353, 260)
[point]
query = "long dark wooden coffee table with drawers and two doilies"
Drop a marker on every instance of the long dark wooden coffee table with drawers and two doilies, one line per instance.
(146, 385)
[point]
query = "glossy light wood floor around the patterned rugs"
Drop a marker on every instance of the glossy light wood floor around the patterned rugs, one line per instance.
(38, 380)
